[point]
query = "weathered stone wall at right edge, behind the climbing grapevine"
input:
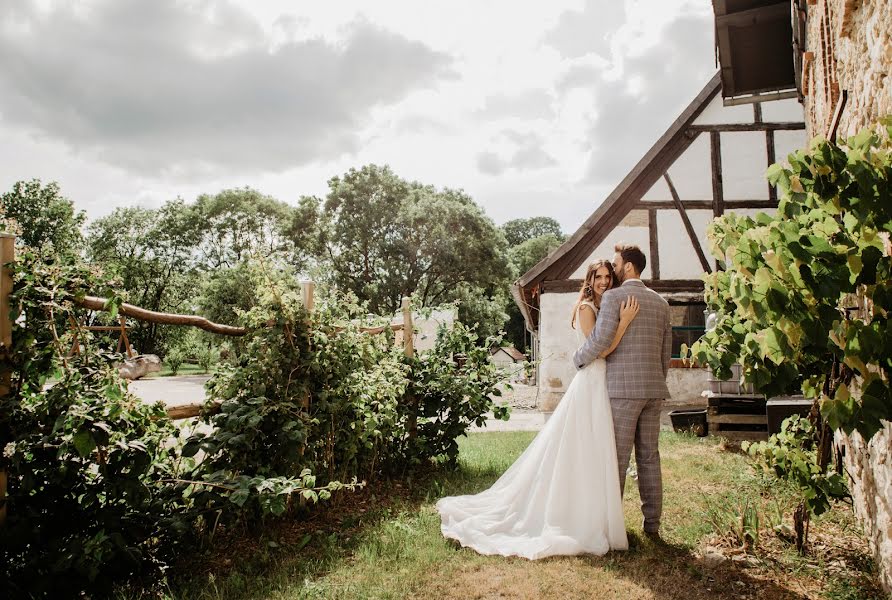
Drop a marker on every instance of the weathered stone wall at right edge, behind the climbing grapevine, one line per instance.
(852, 45)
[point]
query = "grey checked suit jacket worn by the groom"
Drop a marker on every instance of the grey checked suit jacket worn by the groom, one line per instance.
(638, 367)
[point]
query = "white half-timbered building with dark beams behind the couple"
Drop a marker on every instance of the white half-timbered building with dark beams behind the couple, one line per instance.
(710, 161)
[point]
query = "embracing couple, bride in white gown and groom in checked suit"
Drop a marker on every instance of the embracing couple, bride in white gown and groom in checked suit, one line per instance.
(563, 496)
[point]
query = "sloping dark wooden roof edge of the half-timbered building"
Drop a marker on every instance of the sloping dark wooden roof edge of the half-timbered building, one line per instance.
(561, 263)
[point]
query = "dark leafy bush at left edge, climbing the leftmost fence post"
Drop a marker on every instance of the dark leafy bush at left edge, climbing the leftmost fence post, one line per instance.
(100, 487)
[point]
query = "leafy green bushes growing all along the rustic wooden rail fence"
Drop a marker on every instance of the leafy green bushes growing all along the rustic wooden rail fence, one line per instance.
(102, 487)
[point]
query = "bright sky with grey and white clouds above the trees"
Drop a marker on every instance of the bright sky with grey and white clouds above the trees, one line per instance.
(534, 108)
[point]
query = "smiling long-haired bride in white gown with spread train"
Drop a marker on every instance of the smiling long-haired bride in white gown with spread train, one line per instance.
(562, 496)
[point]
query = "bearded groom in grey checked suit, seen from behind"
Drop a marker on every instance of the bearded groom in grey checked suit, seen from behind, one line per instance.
(636, 377)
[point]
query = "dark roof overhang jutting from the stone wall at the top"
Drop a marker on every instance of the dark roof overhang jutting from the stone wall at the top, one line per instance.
(755, 44)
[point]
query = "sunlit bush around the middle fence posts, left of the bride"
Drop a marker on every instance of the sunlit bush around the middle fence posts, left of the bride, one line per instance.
(312, 390)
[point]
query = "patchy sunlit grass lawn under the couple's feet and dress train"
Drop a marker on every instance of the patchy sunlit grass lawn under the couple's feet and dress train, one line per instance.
(384, 542)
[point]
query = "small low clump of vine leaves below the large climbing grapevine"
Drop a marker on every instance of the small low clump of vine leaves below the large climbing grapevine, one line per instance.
(792, 455)
